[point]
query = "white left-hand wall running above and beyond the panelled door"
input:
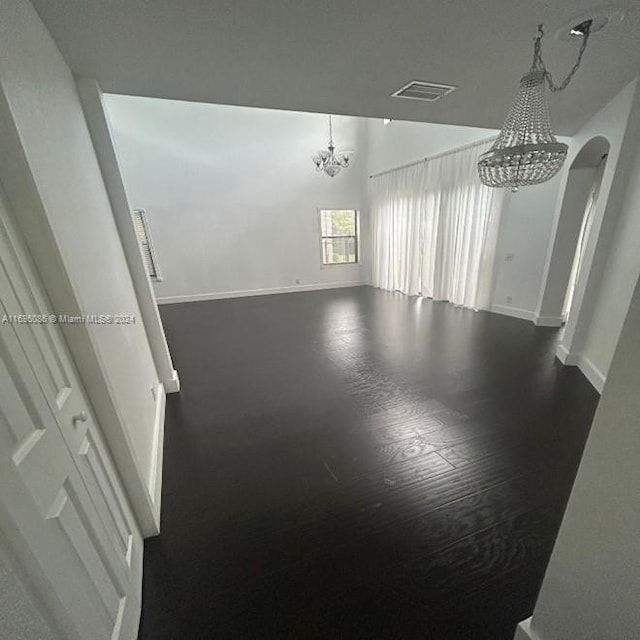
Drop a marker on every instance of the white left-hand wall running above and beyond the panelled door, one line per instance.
(49, 169)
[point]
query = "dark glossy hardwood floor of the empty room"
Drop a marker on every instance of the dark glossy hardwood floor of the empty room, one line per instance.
(356, 464)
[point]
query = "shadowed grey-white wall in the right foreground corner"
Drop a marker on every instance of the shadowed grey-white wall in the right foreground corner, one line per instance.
(591, 588)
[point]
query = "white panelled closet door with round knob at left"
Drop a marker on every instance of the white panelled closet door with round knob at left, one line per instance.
(62, 508)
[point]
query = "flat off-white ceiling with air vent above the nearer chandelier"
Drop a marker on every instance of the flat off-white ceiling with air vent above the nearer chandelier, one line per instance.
(343, 56)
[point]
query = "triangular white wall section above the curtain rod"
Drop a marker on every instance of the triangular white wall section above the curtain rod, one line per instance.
(398, 143)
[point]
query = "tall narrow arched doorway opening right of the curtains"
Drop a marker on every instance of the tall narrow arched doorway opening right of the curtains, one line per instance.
(576, 216)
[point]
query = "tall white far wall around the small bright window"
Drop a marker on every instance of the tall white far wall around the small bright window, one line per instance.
(231, 193)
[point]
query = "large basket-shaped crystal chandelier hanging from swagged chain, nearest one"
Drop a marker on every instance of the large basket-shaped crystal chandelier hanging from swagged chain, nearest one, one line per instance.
(526, 151)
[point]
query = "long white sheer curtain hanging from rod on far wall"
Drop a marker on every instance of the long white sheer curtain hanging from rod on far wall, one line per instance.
(435, 229)
